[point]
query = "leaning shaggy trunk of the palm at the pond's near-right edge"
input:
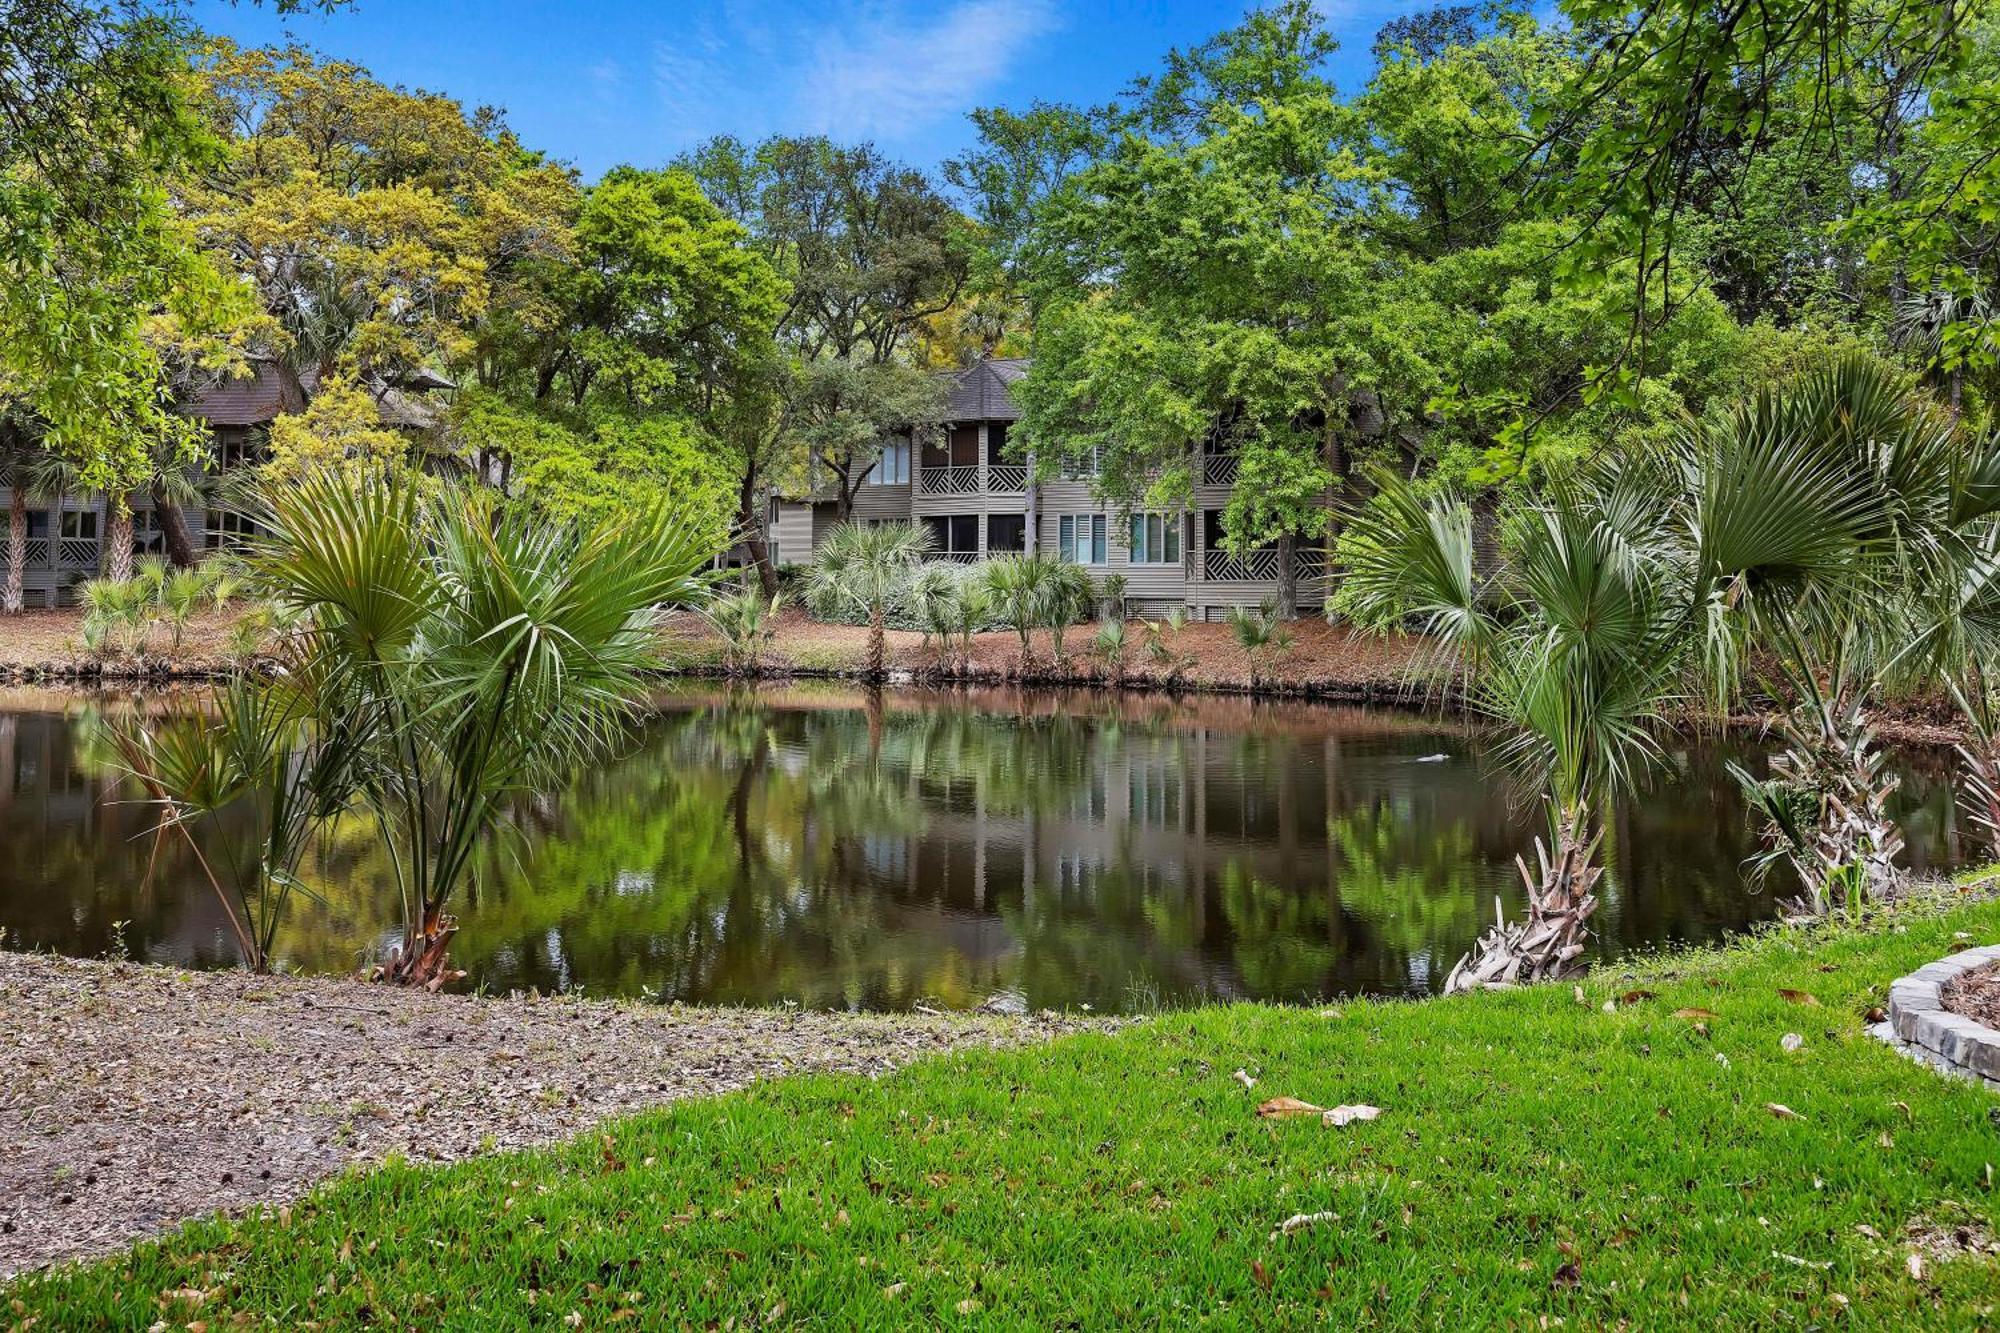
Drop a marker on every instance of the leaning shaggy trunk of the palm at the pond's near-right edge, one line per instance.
(1561, 902)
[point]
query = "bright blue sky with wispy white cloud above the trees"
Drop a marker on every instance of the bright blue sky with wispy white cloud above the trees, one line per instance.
(625, 81)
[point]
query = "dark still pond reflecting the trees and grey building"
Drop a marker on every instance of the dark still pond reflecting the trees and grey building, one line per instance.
(937, 848)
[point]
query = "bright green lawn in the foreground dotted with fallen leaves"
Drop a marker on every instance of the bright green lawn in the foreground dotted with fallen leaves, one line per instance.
(1537, 1160)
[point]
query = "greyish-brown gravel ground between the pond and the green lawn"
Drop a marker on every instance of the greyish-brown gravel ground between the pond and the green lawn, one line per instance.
(137, 1098)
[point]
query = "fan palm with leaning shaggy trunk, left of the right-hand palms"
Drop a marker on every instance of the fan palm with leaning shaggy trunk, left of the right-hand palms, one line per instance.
(1575, 649)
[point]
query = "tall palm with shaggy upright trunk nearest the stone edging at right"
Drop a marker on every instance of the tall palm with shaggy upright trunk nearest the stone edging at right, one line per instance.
(1819, 519)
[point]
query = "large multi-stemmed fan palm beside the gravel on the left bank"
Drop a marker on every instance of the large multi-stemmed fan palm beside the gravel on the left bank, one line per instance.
(453, 653)
